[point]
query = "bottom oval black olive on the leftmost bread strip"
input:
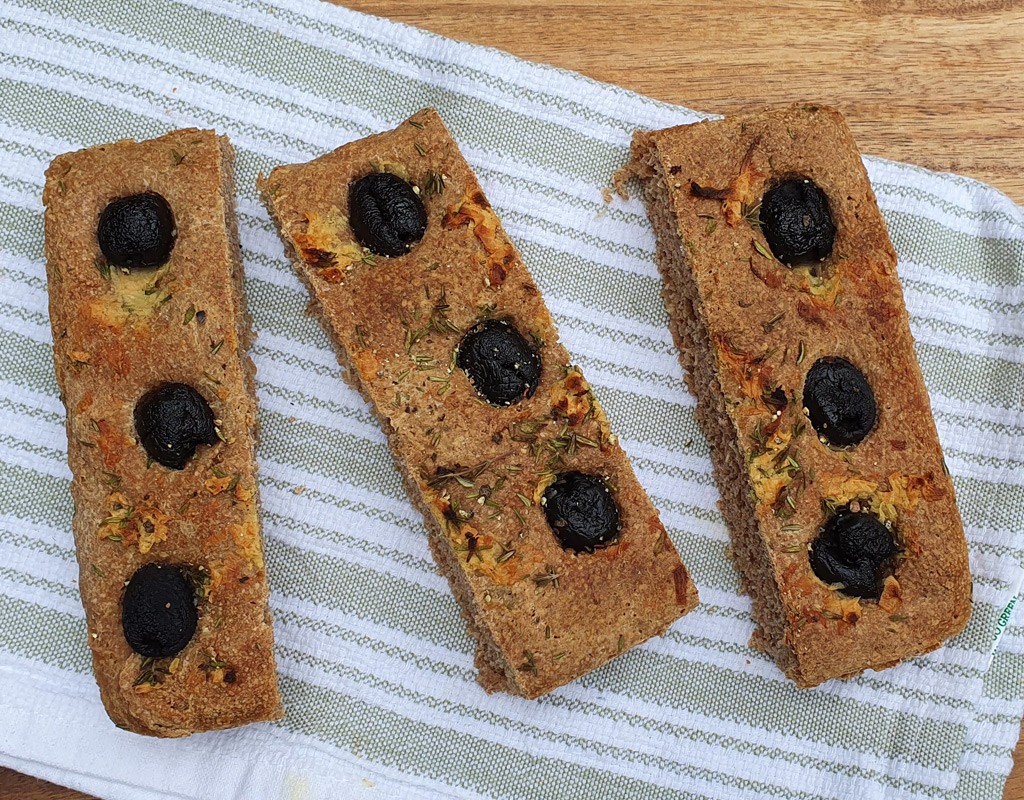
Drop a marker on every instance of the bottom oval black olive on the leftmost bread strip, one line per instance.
(158, 612)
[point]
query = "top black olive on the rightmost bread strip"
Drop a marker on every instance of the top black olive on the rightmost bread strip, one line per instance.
(797, 223)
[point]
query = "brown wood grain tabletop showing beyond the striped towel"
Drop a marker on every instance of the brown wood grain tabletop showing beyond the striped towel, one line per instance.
(933, 82)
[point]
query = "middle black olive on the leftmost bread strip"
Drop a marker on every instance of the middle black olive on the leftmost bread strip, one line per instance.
(172, 420)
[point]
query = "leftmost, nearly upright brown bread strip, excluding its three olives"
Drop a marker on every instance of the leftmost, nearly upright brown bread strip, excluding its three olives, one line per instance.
(118, 334)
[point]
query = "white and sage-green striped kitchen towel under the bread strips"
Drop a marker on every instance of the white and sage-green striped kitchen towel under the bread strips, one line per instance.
(376, 666)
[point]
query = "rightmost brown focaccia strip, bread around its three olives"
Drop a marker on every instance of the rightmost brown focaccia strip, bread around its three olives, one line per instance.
(749, 329)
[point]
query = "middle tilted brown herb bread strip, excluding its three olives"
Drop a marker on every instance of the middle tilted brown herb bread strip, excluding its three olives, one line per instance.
(541, 615)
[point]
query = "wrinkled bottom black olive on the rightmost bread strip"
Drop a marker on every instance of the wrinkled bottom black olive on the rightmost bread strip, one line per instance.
(856, 550)
